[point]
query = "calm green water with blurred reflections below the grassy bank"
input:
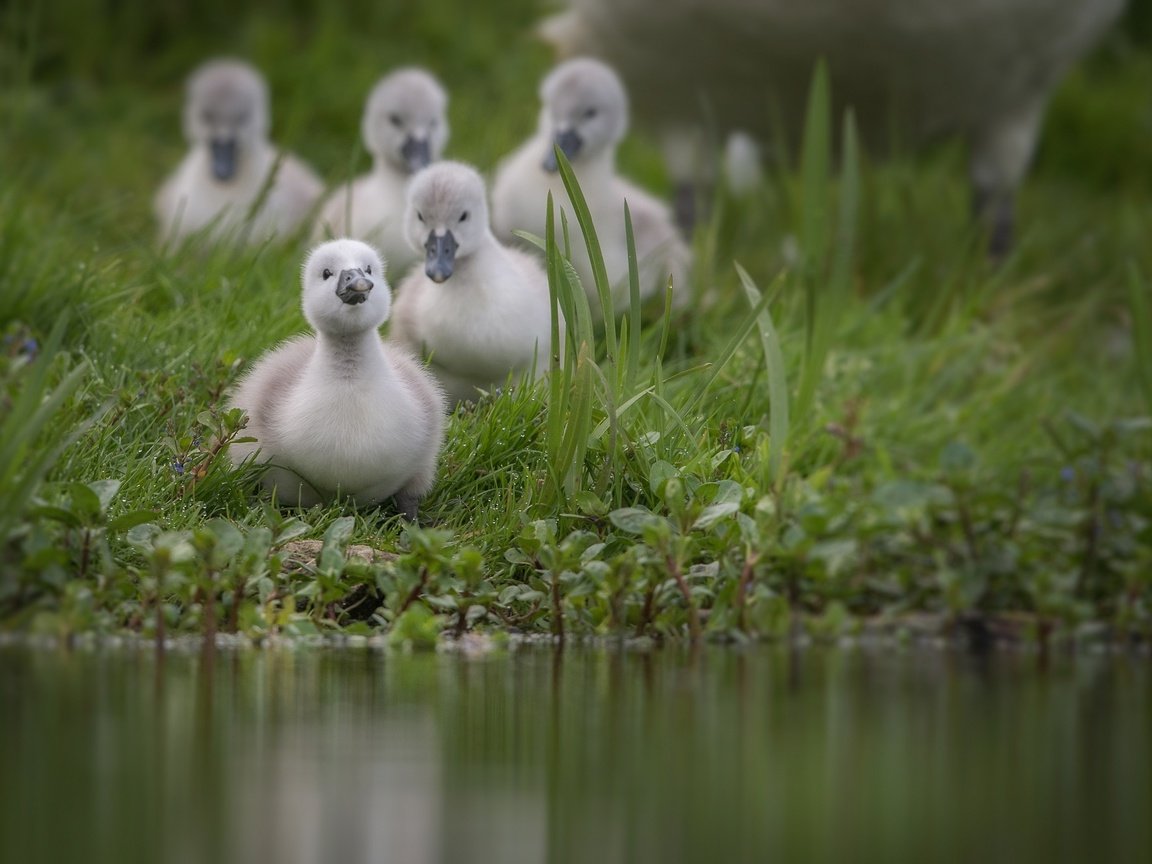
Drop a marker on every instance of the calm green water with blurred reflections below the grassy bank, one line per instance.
(717, 756)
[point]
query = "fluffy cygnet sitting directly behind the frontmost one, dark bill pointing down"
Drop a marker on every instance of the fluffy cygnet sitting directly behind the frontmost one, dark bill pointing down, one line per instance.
(476, 308)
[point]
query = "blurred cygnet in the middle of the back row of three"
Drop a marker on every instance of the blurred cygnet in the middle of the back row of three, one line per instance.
(405, 128)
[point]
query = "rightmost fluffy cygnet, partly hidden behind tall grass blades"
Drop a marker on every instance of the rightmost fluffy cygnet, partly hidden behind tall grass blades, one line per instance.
(586, 115)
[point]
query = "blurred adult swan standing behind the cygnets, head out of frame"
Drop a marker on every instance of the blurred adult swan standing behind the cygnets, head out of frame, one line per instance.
(981, 69)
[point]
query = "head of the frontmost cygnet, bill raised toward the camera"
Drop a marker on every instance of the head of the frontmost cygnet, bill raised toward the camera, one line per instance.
(345, 290)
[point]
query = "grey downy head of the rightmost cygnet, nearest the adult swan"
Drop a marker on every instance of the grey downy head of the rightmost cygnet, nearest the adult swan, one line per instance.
(586, 110)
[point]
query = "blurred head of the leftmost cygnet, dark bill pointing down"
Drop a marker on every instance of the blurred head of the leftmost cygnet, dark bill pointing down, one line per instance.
(226, 109)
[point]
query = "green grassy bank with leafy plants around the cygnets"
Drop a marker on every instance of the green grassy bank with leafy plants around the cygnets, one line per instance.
(859, 420)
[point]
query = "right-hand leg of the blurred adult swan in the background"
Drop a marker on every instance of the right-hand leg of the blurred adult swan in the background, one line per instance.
(1002, 151)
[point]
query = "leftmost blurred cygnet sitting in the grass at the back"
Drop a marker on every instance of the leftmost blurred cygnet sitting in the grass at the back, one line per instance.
(224, 177)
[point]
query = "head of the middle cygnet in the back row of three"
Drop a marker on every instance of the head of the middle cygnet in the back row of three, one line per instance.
(405, 120)
